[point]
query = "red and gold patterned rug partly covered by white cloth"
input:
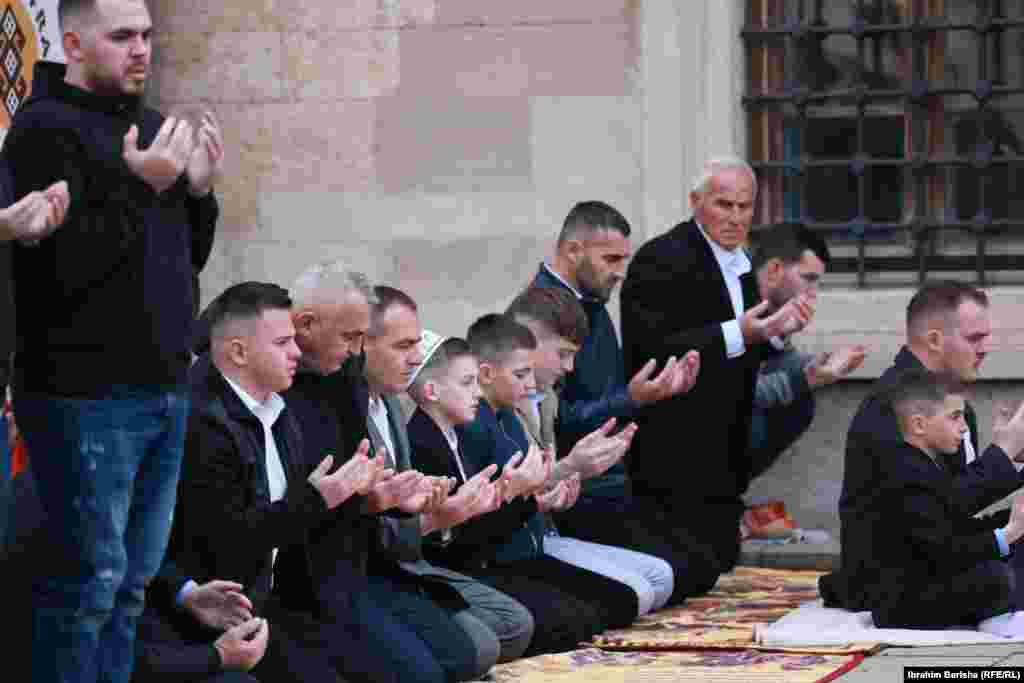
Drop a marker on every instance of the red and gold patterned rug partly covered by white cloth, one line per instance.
(743, 602)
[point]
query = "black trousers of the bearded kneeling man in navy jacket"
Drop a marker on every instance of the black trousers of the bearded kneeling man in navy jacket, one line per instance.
(647, 528)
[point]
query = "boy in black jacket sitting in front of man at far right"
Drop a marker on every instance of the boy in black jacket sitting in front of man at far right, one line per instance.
(933, 565)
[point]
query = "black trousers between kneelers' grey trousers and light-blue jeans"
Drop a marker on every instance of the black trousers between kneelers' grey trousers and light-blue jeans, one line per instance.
(570, 605)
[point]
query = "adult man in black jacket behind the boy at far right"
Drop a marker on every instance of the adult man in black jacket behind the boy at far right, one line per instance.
(949, 332)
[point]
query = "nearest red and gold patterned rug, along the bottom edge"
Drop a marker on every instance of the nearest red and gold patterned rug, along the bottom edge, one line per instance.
(595, 666)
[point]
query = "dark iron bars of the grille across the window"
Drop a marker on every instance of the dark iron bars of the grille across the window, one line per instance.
(918, 103)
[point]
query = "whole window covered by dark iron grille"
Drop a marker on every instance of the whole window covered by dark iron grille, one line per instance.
(897, 127)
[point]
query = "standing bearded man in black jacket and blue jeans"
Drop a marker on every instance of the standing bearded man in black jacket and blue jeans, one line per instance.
(100, 375)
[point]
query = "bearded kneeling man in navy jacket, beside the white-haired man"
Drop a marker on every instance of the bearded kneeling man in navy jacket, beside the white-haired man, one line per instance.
(590, 262)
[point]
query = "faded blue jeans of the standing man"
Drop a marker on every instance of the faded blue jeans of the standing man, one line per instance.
(107, 474)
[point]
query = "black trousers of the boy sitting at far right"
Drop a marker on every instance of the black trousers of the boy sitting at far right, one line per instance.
(985, 590)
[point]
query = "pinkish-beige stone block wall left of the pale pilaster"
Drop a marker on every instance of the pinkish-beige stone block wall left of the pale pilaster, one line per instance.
(436, 144)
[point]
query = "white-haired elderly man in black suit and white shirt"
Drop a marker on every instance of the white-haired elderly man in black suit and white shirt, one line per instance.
(693, 289)
